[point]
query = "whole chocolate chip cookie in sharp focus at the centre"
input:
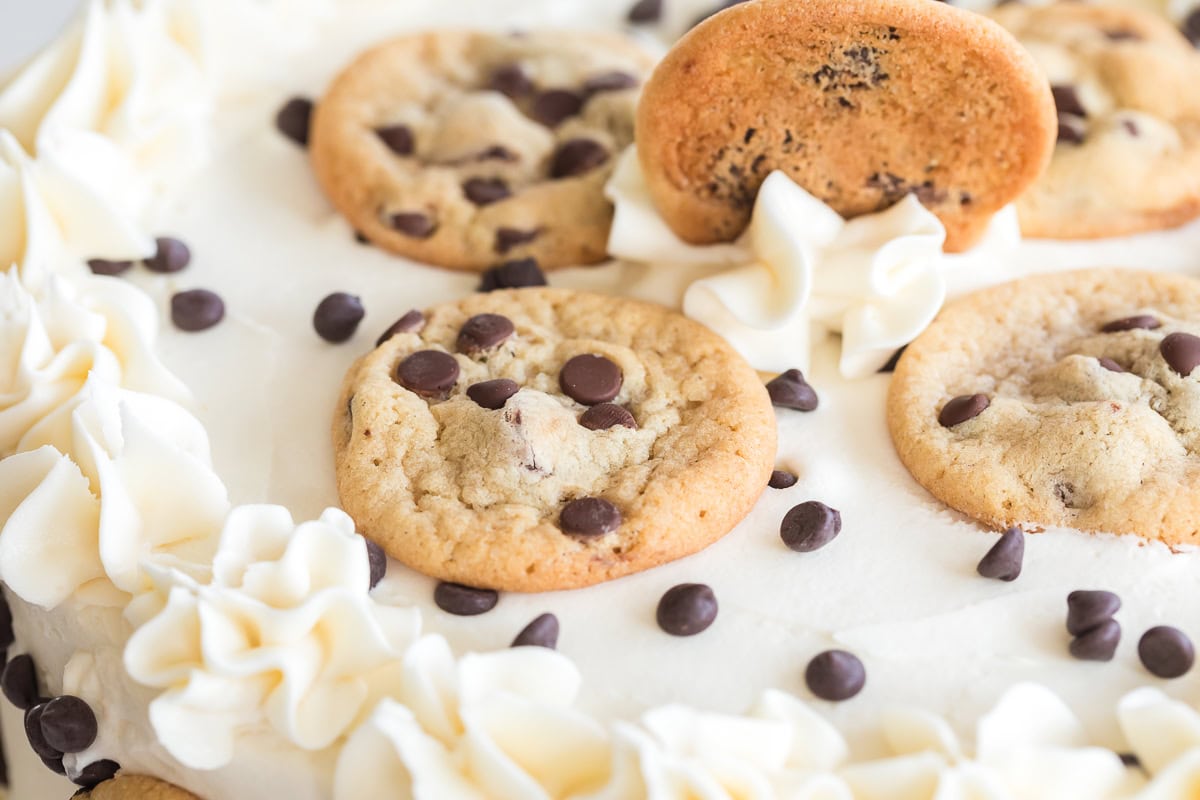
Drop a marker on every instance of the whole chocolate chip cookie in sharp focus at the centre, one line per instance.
(542, 440)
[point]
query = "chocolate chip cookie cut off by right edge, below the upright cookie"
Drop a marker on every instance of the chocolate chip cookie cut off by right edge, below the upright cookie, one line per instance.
(1064, 400)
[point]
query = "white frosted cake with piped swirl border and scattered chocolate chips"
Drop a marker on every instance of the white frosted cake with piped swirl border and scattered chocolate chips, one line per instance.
(227, 648)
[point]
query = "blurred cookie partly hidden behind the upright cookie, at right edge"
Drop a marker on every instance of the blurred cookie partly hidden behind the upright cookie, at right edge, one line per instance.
(1129, 155)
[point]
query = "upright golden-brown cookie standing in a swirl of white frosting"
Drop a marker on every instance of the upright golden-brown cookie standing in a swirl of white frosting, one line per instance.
(861, 103)
